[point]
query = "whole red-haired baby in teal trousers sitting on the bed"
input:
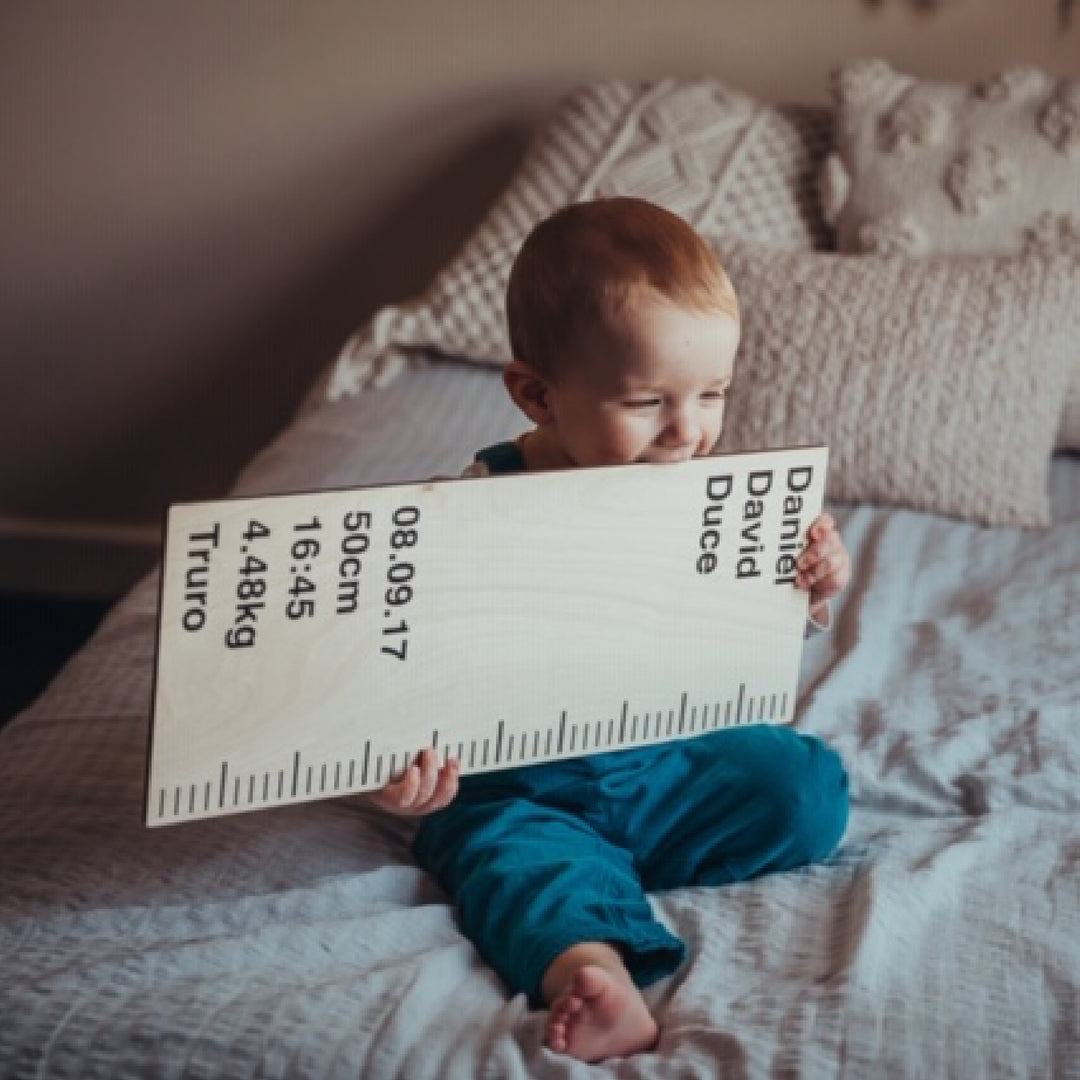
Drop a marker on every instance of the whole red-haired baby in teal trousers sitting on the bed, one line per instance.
(624, 328)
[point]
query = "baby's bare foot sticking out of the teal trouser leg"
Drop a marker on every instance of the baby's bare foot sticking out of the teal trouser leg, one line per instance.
(600, 1016)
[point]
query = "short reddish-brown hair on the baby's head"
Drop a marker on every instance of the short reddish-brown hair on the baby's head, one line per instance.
(583, 265)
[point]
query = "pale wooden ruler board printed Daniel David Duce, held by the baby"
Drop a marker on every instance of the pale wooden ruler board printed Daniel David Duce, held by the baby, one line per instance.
(312, 645)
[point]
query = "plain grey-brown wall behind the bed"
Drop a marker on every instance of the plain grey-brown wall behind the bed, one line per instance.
(200, 200)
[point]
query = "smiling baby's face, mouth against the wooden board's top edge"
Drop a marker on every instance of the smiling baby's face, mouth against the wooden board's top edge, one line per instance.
(651, 389)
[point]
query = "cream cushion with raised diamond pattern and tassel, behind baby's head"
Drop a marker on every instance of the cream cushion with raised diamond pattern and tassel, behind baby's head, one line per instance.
(723, 160)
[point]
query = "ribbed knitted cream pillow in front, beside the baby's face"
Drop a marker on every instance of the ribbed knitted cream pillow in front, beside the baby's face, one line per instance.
(937, 383)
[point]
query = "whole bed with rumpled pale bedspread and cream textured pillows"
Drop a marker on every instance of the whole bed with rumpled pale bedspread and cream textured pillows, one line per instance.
(943, 938)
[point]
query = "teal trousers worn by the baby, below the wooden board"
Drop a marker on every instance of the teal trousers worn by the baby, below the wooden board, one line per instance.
(542, 858)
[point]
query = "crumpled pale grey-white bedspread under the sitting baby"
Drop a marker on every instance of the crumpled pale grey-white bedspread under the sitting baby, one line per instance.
(942, 941)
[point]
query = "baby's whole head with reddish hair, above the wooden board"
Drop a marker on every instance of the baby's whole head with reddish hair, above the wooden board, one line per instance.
(624, 328)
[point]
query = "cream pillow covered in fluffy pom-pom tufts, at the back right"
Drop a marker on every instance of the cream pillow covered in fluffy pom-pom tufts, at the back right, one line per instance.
(923, 167)
